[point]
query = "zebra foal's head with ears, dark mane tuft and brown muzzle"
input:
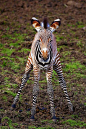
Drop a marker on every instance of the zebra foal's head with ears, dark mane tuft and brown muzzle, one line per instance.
(43, 44)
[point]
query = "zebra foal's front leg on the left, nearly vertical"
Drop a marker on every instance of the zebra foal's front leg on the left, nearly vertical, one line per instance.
(35, 90)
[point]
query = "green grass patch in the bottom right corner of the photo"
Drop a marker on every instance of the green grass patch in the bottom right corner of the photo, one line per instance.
(73, 123)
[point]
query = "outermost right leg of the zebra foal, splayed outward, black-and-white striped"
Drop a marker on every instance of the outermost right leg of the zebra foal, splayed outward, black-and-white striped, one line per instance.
(58, 69)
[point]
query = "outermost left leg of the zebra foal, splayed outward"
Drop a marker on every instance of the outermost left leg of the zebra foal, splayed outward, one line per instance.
(24, 80)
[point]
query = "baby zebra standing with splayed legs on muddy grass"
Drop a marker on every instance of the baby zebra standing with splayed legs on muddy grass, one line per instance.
(44, 56)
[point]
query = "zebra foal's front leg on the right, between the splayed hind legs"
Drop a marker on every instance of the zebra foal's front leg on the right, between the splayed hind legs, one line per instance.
(50, 91)
